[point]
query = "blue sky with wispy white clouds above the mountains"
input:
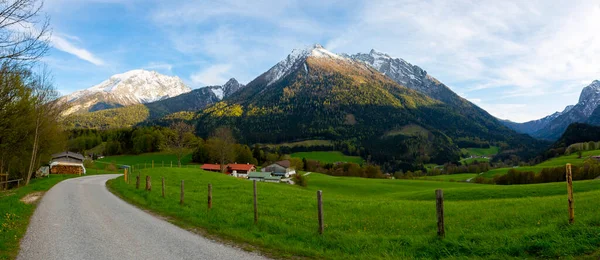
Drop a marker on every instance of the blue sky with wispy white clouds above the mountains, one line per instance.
(519, 60)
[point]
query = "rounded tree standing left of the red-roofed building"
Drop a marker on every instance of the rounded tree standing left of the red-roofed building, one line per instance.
(179, 140)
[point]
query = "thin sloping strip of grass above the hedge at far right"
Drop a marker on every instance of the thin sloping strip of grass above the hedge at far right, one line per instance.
(554, 162)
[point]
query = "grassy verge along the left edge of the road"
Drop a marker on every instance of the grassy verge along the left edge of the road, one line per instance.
(14, 214)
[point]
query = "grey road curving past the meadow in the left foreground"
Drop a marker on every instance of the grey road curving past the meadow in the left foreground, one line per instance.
(80, 219)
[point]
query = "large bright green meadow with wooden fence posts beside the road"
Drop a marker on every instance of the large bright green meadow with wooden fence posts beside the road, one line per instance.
(379, 218)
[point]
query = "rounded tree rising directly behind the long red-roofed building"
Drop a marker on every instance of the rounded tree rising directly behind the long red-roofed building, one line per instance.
(221, 145)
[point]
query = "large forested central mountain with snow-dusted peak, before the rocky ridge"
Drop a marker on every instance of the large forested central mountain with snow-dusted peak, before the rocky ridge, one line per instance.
(315, 94)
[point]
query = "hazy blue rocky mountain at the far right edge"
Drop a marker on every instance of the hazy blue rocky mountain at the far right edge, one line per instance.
(553, 126)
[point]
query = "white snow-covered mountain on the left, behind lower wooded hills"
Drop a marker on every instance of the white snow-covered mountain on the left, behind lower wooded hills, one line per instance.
(132, 87)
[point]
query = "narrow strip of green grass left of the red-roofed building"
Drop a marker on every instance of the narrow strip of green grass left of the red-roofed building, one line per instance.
(140, 159)
